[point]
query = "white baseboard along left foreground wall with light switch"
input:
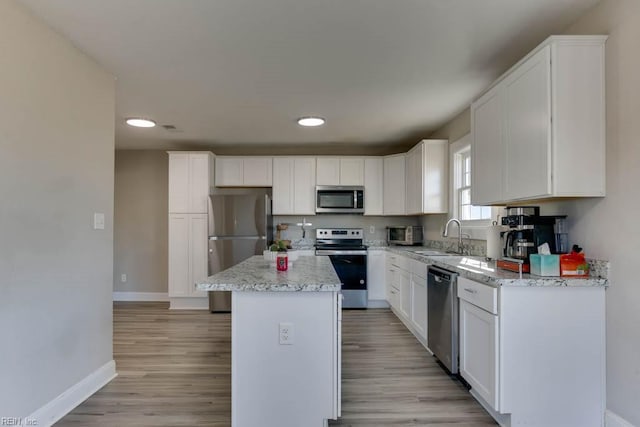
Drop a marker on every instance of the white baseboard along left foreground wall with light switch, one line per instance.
(53, 411)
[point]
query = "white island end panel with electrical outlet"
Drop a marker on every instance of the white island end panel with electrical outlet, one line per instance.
(293, 385)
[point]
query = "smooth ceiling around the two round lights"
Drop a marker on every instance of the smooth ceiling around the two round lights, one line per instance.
(236, 74)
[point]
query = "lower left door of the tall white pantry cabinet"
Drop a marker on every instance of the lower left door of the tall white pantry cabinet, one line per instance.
(178, 277)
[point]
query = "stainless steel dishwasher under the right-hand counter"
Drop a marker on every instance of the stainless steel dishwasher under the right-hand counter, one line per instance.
(442, 316)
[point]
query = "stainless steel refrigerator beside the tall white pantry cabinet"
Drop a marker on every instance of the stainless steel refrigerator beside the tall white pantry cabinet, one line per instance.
(240, 226)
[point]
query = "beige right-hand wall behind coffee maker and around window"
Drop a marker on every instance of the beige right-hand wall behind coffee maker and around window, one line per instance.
(607, 228)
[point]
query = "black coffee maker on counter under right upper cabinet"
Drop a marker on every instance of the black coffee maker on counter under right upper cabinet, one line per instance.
(527, 230)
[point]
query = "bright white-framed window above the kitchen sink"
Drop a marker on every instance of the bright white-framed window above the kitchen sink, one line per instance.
(474, 219)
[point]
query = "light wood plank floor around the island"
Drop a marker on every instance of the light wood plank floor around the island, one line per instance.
(174, 369)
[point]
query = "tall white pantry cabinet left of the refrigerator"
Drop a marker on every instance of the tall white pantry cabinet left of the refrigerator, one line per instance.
(190, 178)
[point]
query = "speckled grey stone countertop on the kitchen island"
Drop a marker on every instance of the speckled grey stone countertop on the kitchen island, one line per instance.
(306, 274)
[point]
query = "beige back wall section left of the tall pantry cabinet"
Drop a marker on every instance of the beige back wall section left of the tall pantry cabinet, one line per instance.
(140, 215)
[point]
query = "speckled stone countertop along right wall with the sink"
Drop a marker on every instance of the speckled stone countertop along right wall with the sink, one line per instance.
(481, 270)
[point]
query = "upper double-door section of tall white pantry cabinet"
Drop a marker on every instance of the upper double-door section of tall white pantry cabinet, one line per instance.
(190, 177)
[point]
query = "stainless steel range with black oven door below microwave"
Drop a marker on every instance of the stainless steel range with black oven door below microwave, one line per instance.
(345, 248)
